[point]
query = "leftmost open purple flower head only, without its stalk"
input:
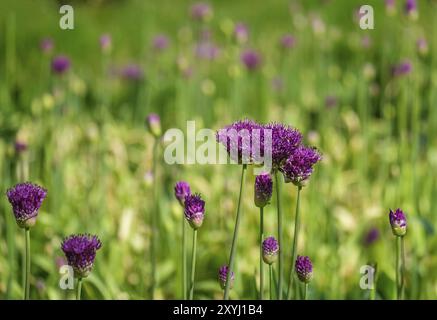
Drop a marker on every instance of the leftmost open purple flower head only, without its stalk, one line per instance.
(26, 199)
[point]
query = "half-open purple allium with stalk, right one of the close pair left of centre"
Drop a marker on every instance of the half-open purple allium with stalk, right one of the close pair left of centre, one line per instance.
(194, 213)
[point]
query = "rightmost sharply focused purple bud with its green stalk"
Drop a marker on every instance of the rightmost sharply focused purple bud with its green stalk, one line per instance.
(398, 224)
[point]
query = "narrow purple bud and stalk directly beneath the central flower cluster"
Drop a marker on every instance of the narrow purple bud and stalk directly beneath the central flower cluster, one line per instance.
(263, 194)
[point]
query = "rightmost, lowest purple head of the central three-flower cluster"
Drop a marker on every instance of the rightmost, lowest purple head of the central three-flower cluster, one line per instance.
(299, 166)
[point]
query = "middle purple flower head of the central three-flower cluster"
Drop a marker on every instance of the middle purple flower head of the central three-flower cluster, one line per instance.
(285, 140)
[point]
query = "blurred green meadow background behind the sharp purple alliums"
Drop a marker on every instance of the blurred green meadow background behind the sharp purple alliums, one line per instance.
(366, 99)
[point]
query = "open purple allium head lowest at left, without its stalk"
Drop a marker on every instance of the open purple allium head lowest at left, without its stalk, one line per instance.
(80, 251)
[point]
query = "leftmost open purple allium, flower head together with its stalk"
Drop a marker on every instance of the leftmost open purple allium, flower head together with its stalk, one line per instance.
(26, 200)
